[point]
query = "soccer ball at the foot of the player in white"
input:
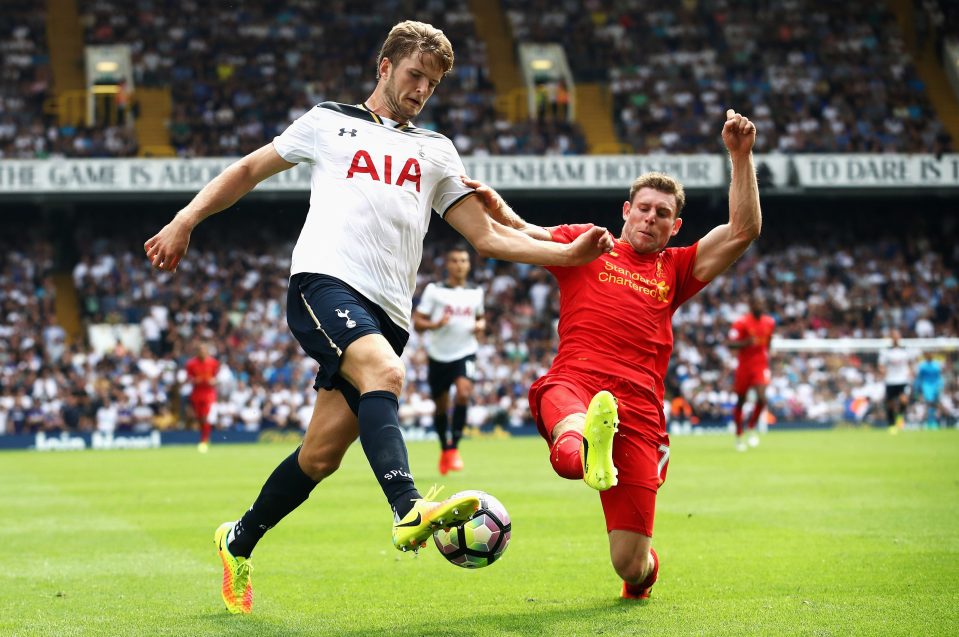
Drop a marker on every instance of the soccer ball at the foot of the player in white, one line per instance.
(479, 541)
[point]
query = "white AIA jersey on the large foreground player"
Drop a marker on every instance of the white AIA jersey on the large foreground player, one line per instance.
(373, 185)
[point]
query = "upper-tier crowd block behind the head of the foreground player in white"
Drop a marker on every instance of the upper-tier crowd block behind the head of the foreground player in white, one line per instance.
(239, 74)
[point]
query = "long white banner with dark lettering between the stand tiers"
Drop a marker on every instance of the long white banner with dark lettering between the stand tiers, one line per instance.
(132, 178)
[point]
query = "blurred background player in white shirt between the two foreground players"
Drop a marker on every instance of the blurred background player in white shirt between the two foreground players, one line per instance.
(452, 311)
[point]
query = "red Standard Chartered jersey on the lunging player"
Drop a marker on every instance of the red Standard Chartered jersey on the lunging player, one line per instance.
(616, 311)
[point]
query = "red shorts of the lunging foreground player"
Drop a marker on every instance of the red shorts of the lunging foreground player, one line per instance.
(640, 448)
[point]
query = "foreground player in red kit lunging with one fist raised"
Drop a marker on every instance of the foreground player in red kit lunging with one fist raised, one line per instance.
(600, 406)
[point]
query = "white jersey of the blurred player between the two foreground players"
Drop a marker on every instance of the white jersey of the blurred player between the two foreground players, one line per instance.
(457, 338)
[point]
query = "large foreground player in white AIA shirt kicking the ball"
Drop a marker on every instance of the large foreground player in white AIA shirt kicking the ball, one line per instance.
(375, 179)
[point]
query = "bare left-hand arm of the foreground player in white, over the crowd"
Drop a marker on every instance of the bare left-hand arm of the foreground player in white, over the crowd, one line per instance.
(167, 247)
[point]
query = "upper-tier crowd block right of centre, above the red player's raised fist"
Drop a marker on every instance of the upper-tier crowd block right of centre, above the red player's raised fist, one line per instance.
(815, 76)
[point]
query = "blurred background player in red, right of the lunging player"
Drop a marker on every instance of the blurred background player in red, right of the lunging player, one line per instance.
(751, 334)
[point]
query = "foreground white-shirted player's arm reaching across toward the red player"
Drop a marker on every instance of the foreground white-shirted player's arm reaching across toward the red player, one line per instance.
(495, 240)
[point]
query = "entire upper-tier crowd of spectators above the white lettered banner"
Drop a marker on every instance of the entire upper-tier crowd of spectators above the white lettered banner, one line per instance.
(815, 76)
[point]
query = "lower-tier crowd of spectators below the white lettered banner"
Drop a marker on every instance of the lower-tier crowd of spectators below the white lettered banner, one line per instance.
(230, 290)
